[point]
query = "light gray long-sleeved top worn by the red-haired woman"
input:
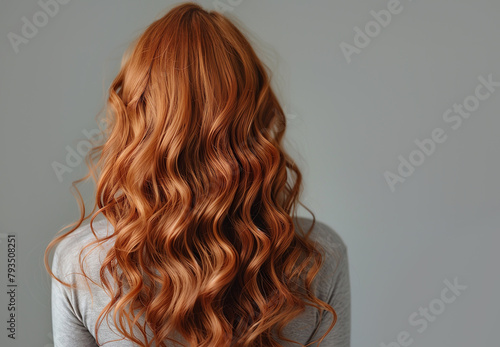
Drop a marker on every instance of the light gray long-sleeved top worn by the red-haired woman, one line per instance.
(75, 311)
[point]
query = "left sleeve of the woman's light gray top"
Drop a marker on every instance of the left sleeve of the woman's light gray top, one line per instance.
(67, 328)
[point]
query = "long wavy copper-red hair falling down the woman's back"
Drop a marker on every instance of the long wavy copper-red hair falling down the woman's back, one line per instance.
(193, 177)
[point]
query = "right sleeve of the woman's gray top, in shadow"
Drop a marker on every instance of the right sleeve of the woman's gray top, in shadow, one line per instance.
(339, 297)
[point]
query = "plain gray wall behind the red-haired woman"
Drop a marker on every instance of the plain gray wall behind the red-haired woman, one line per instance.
(348, 123)
